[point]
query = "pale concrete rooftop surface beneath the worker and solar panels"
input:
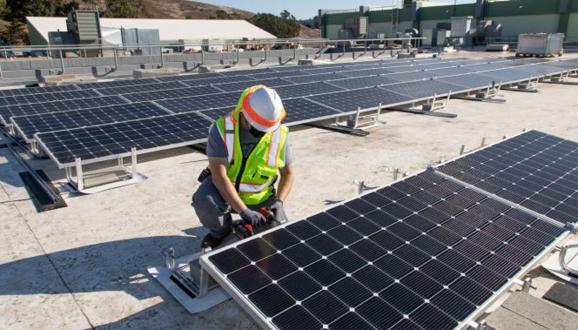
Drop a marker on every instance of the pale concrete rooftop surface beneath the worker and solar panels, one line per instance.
(84, 266)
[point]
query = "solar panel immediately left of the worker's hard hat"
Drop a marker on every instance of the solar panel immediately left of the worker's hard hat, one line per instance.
(201, 102)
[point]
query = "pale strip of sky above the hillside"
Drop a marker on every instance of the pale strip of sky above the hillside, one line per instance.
(303, 9)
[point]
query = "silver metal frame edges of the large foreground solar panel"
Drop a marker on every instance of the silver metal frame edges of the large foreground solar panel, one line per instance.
(267, 322)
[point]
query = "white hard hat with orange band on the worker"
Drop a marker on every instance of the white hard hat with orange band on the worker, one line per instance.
(263, 109)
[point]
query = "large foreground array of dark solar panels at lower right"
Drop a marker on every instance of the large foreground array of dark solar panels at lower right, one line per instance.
(427, 252)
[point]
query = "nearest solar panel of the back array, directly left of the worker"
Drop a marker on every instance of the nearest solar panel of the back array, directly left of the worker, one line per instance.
(98, 143)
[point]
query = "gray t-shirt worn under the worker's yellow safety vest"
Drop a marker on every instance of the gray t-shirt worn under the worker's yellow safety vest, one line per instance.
(216, 146)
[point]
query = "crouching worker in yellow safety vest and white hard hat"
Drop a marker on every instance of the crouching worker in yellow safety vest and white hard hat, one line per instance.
(247, 149)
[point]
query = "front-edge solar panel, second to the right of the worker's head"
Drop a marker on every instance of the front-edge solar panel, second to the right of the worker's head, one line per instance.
(367, 98)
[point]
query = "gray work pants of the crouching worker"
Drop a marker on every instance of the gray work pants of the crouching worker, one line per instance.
(213, 211)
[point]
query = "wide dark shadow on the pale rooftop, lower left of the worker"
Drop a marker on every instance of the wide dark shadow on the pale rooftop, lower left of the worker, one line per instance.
(111, 266)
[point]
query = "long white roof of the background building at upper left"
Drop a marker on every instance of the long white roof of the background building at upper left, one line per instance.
(169, 29)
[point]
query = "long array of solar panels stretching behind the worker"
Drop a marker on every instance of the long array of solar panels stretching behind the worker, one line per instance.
(330, 90)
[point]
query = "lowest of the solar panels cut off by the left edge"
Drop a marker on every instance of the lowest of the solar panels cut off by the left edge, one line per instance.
(57, 106)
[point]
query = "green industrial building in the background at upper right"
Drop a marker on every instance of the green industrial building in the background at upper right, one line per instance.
(511, 16)
